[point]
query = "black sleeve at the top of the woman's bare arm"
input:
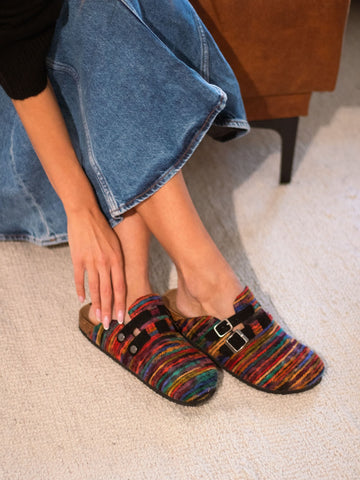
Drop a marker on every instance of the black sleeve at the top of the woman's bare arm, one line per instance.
(26, 30)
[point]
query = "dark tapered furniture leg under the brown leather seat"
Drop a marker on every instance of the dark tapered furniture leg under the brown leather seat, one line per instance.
(287, 128)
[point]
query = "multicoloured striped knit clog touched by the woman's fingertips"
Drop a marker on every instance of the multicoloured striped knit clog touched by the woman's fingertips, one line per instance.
(159, 355)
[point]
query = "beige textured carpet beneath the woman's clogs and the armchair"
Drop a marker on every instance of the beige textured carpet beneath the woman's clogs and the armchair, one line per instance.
(69, 412)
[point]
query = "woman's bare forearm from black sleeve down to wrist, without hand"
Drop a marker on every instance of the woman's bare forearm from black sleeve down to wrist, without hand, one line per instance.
(45, 126)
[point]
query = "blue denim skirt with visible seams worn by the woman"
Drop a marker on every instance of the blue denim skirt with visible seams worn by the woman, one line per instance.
(139, 83)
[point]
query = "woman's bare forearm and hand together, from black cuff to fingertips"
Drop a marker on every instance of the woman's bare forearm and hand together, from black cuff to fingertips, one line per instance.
(93, 244)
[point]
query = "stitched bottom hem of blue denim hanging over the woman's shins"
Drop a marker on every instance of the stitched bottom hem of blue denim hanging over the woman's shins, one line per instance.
(178, 163)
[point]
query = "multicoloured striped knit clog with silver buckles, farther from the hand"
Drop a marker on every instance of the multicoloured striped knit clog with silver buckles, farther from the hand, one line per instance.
(258, 351)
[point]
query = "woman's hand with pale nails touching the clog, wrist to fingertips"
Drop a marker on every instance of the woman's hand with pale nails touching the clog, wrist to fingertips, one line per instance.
(96, 248)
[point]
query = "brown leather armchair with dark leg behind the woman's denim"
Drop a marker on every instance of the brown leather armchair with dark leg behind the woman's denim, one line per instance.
(281, 51)
